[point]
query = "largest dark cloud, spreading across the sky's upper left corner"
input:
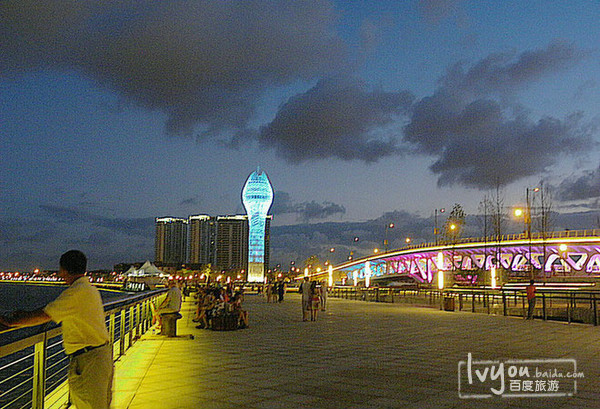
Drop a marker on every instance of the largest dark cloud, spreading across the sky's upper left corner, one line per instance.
(202, 62)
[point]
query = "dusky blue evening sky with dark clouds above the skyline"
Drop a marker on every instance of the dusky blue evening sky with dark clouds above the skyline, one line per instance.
(116, 112)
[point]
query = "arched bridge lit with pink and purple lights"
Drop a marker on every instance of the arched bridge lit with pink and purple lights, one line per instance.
(559, 256)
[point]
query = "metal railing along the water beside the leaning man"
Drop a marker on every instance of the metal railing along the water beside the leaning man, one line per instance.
(32, 367)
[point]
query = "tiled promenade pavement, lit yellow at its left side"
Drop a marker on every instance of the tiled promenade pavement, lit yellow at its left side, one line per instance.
(357, 355)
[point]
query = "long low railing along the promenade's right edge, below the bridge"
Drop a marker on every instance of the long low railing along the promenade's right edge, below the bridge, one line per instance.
(559, 305)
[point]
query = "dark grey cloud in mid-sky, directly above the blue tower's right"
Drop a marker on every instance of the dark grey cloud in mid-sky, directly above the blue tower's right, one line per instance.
(337, 118)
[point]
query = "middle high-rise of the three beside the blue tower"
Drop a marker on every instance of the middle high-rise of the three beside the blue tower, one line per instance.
(202, 239)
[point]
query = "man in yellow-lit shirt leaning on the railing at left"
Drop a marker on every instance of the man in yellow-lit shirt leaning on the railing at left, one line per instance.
(85, 337)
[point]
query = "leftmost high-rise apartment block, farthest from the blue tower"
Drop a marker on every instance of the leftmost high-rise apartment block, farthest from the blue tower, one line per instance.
(170, 243)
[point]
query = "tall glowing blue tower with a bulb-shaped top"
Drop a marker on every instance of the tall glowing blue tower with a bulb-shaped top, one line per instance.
(257, 197)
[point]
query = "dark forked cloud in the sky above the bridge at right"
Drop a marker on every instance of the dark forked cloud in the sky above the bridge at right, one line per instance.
(478, 138)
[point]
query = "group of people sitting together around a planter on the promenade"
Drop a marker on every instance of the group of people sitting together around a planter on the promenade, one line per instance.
(218, 307)
